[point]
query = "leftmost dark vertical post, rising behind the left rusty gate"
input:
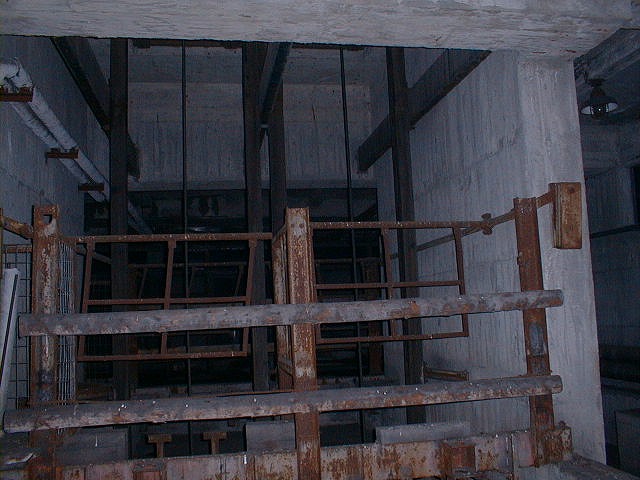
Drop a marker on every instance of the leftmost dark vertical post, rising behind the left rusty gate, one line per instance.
(118, 218)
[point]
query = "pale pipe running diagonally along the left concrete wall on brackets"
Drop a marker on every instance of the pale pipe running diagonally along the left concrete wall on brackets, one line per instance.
(46, 125)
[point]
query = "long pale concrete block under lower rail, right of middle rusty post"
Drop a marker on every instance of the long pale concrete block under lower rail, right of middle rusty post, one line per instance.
(421, 432)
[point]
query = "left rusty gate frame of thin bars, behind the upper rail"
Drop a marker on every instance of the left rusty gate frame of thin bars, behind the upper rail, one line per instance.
(166, 301)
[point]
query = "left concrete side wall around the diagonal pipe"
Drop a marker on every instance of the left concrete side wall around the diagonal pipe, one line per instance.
(27, 177)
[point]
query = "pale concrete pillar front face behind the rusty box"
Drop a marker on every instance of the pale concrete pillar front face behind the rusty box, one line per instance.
(552, 153)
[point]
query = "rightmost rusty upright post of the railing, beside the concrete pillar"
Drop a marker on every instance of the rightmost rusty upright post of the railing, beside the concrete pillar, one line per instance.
(535, 320)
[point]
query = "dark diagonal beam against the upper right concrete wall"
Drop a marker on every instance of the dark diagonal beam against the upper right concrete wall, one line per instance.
(441, 77)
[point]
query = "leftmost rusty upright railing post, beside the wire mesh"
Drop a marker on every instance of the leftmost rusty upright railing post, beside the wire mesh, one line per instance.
(44, 350)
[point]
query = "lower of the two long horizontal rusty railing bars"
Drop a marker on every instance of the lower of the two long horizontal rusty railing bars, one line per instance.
(252, 405)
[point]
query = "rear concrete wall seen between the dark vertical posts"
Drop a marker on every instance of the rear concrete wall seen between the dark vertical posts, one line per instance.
(313, 129)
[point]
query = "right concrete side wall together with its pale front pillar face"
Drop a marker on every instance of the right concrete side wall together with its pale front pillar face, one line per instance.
(508, 130)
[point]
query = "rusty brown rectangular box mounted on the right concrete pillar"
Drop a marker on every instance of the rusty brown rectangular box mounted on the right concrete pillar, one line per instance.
(567, 215)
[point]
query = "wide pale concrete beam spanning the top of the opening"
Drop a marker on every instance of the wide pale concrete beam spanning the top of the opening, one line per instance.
(563, 27)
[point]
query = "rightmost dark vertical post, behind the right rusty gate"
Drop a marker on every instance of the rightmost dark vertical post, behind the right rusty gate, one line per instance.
(403, 188)
